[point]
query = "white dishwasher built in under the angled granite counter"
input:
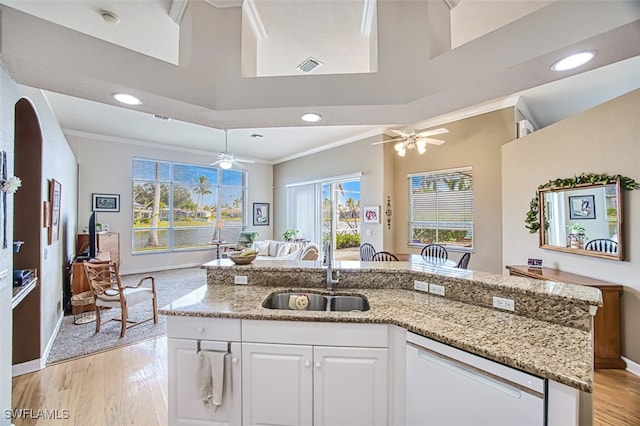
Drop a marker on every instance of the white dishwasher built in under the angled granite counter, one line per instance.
(448, 386)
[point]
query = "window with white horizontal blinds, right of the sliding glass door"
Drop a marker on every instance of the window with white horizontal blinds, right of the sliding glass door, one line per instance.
(441, 208)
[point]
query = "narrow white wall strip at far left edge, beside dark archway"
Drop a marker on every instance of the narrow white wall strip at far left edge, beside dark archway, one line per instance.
(8, 98)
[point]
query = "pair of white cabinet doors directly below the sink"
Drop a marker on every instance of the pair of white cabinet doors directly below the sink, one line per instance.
(317, 385)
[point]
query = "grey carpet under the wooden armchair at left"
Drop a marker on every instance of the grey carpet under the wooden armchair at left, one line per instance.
(77, 340)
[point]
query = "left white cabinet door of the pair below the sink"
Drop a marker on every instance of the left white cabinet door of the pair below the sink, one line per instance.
(277, 385)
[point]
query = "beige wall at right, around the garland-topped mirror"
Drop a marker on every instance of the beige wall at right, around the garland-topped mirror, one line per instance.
(601, 140)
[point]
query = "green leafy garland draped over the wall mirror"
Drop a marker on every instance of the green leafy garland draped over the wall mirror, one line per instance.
(533, 221)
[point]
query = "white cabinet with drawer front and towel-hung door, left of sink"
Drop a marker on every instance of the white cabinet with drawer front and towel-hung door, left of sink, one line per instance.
(185, 408)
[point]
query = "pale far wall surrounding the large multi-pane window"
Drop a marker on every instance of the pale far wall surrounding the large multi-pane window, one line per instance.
(106, 167)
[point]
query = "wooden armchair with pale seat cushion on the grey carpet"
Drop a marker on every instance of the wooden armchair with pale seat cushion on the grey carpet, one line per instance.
(109, 292)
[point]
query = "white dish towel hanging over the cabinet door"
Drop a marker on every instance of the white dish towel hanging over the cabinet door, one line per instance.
(210, 378)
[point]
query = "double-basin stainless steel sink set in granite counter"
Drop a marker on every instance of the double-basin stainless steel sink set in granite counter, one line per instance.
(303, 301)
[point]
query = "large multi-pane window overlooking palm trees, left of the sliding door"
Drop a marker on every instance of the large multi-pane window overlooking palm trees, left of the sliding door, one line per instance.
(176, 206)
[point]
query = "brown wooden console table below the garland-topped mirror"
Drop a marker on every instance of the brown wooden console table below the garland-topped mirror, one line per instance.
(606, 325)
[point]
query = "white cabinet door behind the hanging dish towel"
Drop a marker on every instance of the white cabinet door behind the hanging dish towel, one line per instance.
(184, 406)
